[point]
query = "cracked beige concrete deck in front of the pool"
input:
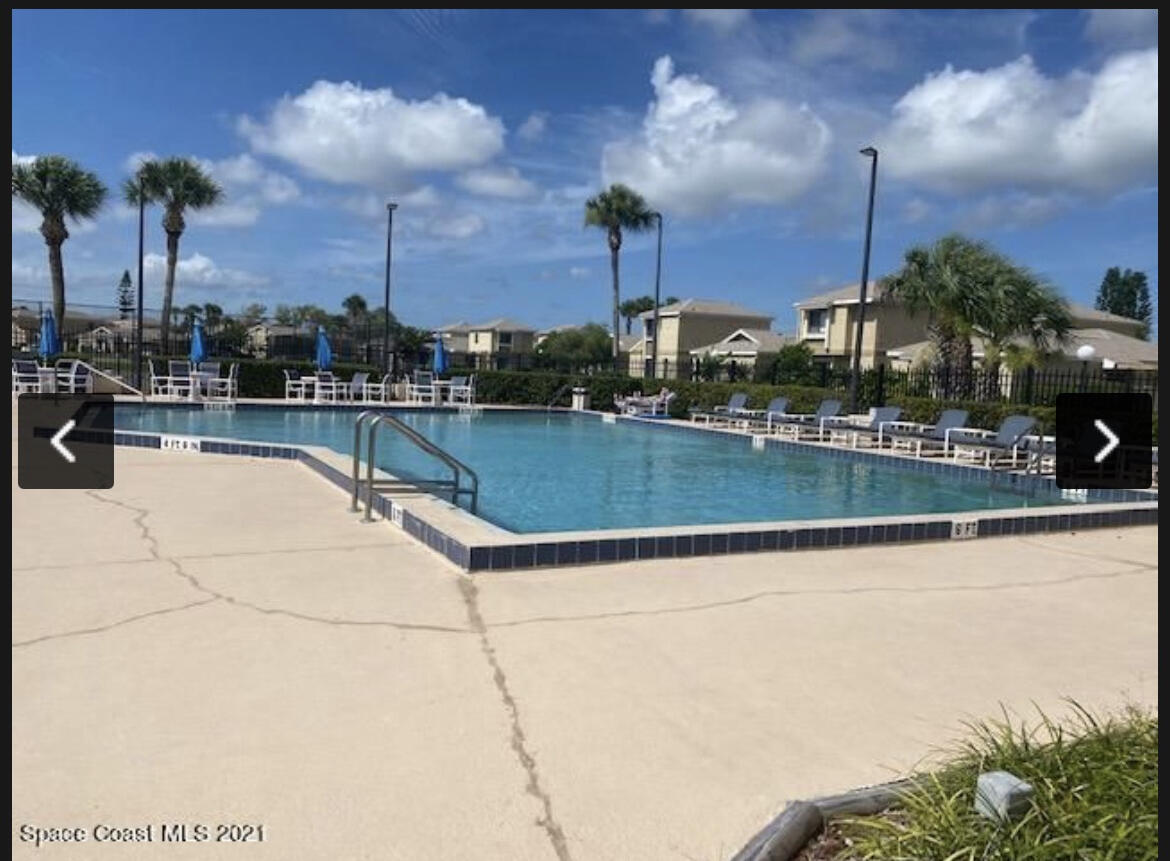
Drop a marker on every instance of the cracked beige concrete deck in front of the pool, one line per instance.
(217, 640)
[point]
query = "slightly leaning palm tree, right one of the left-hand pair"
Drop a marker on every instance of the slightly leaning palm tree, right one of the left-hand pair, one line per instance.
(177, 184)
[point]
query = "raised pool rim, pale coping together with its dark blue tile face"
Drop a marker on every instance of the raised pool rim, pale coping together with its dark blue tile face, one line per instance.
(474, 545)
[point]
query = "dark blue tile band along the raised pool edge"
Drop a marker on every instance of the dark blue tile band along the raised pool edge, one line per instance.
(538, 552)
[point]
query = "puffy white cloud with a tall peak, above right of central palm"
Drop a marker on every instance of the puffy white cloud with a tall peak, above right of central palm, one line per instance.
(698, 150)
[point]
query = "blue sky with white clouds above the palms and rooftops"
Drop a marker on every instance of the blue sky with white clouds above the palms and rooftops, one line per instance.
(1034, 130)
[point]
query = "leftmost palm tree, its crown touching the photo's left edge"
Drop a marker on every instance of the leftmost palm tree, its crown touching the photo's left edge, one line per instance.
(59, 189)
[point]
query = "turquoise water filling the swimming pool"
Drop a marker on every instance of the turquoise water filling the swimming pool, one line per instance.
(541, 473)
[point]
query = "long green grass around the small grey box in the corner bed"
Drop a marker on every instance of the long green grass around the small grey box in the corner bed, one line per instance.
(1097, 797)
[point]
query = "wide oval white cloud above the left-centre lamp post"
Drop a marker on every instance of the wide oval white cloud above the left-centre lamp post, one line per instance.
(346, 134)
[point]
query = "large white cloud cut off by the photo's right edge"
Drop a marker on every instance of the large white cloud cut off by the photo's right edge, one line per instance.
(1013, 127)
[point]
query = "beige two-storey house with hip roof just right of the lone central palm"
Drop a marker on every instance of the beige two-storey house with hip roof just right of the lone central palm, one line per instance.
(690, 326)
